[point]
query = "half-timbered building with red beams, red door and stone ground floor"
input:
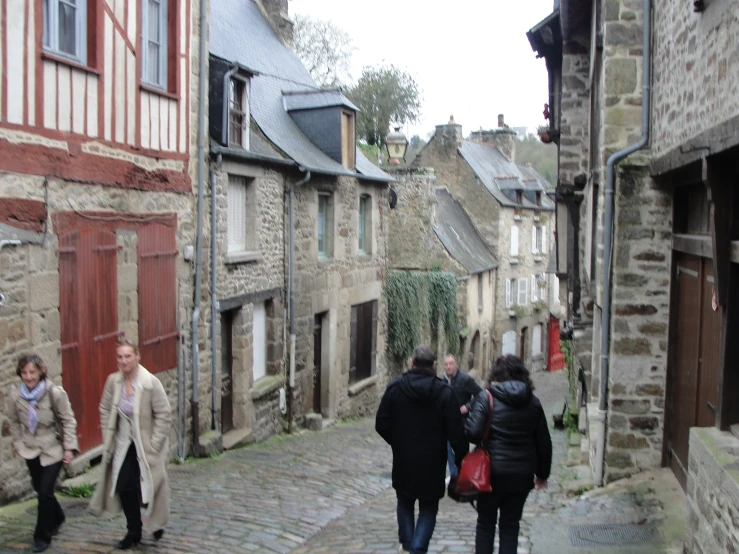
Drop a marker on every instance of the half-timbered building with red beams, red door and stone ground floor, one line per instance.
(97, 213)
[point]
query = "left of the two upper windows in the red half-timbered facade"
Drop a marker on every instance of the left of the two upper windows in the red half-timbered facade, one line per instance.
(65, 28)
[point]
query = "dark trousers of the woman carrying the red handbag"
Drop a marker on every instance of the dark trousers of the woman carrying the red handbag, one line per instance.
(510, 506)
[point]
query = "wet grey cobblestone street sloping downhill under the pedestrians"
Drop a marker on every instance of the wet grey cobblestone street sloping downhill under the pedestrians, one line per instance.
(316, 492)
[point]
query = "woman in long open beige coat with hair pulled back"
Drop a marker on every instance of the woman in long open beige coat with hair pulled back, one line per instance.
(136, 421)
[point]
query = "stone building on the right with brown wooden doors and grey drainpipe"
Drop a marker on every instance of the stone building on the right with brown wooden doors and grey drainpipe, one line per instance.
(663, 81)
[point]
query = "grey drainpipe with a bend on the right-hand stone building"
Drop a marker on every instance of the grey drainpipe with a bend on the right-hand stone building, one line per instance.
(605, 331)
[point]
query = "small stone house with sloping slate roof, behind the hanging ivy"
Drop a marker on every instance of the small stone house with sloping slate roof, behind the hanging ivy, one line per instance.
(447, 239)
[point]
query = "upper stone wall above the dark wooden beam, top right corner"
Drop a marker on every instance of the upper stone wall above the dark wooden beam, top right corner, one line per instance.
(696, 78)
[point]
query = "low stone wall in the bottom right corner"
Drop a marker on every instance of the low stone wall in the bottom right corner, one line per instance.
(713, 493)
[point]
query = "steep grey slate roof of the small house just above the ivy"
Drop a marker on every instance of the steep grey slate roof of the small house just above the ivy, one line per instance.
(459, 236)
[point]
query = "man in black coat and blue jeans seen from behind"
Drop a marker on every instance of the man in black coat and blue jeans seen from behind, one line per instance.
(417, 416)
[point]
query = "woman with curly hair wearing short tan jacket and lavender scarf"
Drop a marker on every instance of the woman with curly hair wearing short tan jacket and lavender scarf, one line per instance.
(44, 432)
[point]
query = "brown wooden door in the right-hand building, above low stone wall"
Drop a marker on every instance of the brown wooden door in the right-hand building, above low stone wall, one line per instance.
(695, 358)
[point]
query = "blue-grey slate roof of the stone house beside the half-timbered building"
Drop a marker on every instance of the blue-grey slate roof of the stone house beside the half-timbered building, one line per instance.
(240, 33)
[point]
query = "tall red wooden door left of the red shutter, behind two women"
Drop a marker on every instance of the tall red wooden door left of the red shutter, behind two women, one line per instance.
(88, 310)
